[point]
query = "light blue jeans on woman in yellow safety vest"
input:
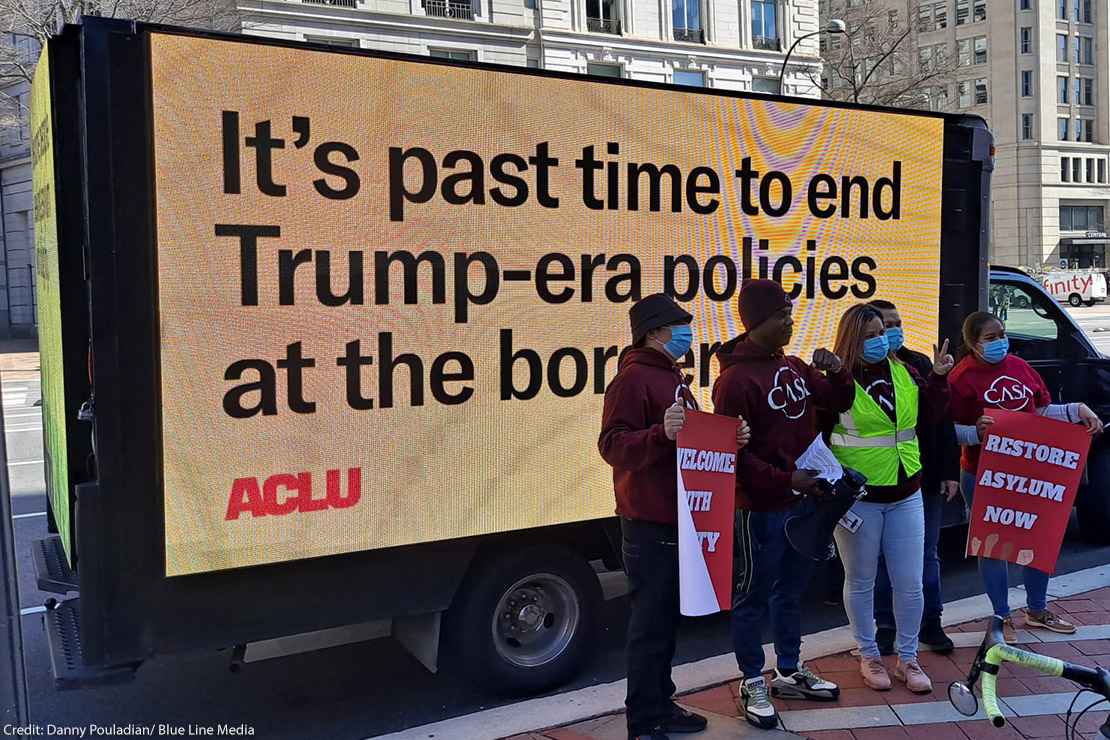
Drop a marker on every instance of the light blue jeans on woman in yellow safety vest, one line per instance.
(897, 531)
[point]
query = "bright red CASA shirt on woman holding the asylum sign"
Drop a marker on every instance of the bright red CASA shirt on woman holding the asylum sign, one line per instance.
(977, 387)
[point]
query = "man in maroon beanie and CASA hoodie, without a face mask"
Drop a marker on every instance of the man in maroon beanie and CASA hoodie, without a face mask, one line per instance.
(779, 396)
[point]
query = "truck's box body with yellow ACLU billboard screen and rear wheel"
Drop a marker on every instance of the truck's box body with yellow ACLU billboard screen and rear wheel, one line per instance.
(347, 323)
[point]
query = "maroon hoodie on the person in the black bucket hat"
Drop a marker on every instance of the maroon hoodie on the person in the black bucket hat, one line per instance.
(632, 440)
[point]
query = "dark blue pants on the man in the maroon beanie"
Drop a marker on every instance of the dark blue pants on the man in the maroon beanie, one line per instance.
(769, 574)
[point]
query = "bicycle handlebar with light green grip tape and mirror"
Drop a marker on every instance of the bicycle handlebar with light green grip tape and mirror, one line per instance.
(995, 652)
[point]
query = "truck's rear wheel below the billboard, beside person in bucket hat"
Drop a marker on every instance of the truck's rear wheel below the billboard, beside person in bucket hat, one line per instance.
(524, 622)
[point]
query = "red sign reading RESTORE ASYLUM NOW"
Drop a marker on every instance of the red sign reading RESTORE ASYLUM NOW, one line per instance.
(1030, 473)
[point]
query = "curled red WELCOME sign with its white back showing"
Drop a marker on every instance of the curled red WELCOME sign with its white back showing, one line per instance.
(707, 506)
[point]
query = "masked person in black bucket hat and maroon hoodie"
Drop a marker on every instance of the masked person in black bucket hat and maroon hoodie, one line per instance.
(645, 409)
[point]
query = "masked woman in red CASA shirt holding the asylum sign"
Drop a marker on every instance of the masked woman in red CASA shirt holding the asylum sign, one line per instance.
(988, 377)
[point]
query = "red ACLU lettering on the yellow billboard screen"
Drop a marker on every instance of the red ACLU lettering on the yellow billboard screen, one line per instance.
(286, 493)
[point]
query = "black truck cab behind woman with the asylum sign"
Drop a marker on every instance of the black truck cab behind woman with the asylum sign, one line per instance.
(1048, 339)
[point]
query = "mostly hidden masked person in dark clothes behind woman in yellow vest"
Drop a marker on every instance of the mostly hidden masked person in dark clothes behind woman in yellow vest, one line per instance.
(941, 471)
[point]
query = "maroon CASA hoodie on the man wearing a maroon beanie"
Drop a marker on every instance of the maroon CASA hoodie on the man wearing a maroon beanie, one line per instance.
(779, 396)
